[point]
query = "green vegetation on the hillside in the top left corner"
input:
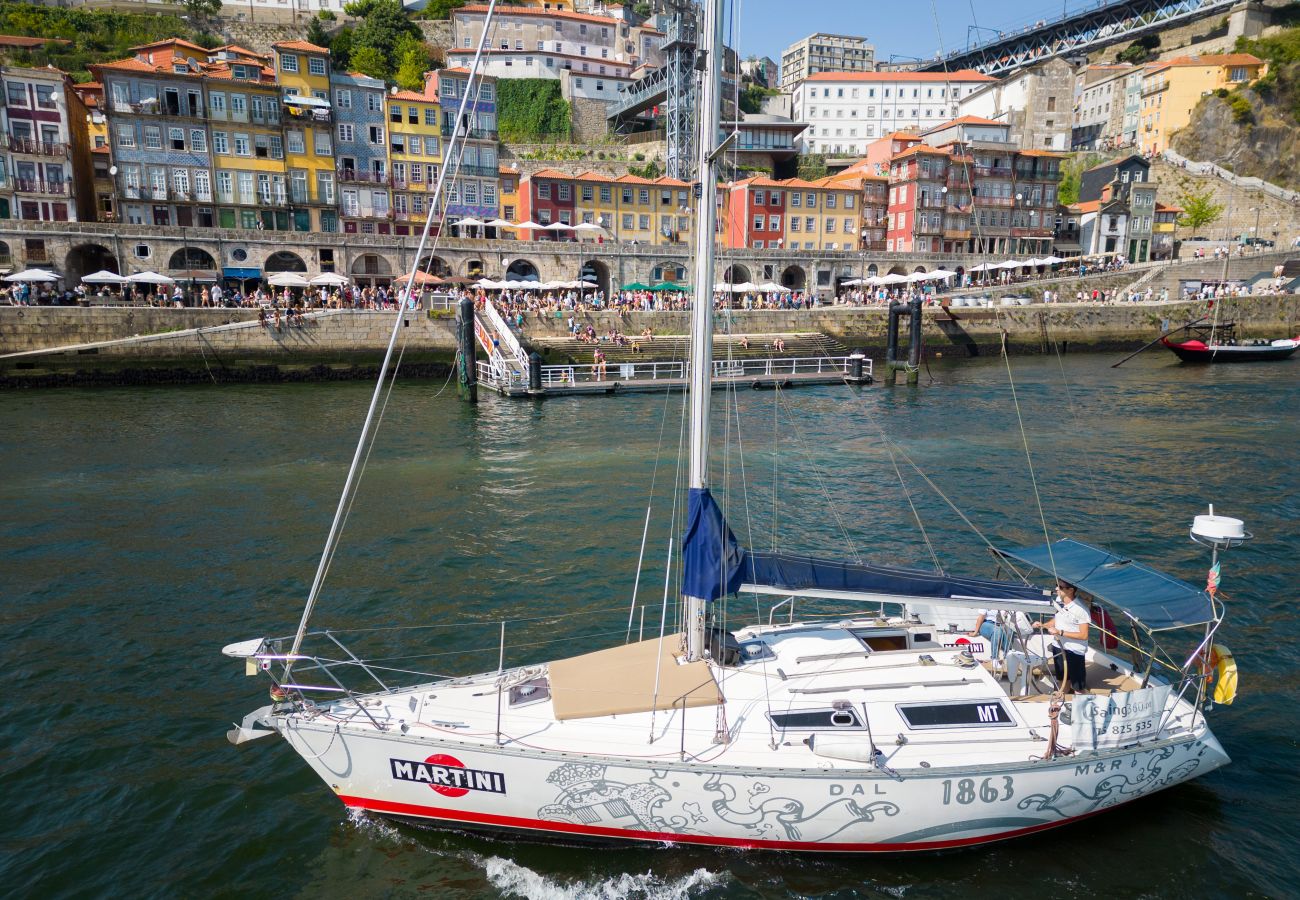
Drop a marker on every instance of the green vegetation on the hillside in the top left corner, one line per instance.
(97, 36)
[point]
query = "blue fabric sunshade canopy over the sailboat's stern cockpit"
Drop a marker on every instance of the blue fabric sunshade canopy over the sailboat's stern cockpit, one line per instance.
(1154, 599)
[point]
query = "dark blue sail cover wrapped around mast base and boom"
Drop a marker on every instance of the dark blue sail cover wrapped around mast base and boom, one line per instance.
(717, 565)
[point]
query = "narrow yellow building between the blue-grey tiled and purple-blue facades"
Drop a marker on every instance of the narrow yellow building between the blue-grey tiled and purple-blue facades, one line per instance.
(415, 155)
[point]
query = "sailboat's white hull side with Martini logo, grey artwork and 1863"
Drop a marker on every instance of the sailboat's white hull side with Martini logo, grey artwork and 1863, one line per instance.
(601, 801)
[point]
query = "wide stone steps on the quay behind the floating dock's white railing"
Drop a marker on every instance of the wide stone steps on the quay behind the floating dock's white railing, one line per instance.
(556, 352)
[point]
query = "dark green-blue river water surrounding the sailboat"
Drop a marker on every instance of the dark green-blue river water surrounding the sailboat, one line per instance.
(145, 529)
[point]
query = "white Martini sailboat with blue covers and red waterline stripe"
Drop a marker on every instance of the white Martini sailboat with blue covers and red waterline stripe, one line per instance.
(891, 729)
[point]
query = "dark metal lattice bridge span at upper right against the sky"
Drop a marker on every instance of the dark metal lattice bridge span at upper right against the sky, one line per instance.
(1077, 33)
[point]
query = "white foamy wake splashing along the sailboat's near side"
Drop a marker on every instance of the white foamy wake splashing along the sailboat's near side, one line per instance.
(514, 880)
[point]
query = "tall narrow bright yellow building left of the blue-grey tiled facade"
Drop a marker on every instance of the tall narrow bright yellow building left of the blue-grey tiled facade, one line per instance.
(302, 72)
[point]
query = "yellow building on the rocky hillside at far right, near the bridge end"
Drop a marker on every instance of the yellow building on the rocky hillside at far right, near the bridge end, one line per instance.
(1171, 92)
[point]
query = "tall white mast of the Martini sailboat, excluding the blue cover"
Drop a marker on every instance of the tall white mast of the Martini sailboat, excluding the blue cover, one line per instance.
(703, 302)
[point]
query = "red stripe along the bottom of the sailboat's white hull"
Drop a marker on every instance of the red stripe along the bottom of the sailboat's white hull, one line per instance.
(673, 838)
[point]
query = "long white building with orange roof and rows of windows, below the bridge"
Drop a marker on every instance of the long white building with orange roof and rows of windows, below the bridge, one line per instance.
(848, 111)
